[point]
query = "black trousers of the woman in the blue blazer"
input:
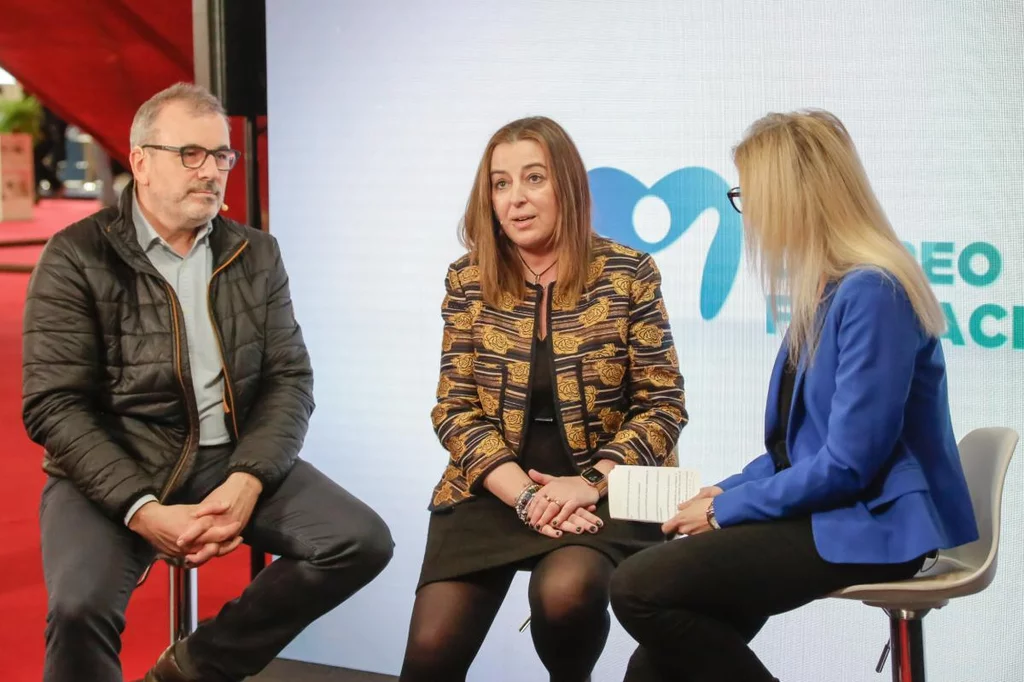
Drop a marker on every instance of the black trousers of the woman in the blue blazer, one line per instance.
(694, 605)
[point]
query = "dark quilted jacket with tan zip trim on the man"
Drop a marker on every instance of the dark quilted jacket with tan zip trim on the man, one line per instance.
(106, 381)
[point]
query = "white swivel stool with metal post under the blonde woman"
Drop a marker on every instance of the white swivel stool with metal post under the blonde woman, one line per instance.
(961, 572)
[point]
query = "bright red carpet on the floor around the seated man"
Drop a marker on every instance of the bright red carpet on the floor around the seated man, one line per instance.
(23, 596)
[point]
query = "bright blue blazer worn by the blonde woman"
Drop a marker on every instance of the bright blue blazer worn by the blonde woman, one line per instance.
(874, 458)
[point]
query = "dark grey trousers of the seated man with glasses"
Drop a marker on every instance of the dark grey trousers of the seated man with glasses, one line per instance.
(330, 544)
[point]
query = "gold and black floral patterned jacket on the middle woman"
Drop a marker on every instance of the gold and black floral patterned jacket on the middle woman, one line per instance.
(619, 388)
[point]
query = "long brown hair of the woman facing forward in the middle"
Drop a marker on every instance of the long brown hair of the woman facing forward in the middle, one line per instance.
(482, 234)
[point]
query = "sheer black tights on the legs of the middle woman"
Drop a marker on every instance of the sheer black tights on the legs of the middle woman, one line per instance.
(569, 604)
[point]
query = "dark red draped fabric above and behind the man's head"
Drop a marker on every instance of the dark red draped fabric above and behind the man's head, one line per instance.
(94, 63)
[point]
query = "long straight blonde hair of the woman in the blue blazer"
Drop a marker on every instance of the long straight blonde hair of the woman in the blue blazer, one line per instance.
(809, 214)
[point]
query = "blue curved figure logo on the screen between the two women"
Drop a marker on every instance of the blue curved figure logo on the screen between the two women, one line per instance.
(688, 193)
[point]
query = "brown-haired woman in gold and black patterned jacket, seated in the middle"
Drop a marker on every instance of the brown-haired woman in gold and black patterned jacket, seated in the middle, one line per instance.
(558, 364)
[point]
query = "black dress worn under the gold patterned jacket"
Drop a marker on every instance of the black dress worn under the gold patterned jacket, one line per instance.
(484, 533)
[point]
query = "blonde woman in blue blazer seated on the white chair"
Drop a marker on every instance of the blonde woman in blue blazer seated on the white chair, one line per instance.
(862, 480)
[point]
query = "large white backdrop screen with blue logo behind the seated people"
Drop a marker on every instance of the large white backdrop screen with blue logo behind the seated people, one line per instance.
(380, 111)
